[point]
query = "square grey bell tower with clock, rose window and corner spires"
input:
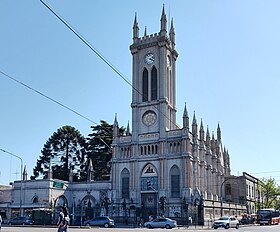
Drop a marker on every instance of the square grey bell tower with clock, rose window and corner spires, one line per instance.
(154, 81)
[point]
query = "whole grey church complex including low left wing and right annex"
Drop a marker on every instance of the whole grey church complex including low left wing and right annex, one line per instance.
(157, 169)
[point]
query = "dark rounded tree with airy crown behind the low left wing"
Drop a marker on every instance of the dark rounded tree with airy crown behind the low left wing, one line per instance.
(64, 150)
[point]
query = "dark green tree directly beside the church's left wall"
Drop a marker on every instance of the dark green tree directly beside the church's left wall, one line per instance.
(99, 149)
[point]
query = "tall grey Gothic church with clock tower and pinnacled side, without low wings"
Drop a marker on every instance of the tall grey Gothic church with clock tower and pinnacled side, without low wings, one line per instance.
(159, 166)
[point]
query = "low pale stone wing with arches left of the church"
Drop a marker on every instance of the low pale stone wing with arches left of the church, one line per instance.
(84, 199)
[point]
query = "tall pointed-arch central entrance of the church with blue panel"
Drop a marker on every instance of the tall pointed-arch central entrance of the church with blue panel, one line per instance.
(149, 192)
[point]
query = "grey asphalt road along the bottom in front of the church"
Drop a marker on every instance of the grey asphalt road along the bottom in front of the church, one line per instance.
(42, 229)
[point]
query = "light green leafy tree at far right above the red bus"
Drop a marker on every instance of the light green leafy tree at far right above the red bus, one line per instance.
(269, 191)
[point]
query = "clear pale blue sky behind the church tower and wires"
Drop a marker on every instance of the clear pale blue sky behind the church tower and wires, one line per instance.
(227, 72)
